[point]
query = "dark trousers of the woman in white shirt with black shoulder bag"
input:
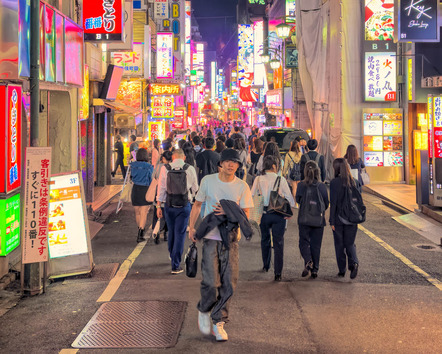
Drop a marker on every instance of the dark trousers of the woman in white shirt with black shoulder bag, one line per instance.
(276, 223)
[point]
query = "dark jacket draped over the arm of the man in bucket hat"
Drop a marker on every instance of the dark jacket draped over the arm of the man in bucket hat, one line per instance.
(234, 217)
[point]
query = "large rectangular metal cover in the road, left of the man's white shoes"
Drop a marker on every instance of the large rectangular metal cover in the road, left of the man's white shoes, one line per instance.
(144, 324)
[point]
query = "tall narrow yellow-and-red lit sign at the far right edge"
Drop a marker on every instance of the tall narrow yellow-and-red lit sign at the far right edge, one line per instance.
(435, 149)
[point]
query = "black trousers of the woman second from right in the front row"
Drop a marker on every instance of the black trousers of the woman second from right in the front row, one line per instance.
(310, 241)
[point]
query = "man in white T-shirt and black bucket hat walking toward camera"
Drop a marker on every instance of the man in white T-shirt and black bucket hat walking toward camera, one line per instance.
(219, 266)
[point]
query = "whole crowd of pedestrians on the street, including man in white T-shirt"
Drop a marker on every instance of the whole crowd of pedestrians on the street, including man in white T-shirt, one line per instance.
(207, 184)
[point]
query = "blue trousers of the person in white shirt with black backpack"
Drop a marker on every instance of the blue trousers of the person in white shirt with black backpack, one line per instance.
(177, 220)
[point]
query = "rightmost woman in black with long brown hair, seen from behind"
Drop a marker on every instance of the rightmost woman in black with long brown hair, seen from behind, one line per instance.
(344, 235)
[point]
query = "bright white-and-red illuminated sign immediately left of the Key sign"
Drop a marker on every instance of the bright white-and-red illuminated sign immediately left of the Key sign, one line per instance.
(379, 20)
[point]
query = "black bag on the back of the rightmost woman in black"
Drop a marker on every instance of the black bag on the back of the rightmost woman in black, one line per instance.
(353, 210)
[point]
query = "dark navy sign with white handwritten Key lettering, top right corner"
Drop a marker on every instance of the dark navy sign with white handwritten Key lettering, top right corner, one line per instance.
(417, 21)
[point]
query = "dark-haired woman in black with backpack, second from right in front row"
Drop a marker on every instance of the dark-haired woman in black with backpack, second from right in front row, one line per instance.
(310, 238)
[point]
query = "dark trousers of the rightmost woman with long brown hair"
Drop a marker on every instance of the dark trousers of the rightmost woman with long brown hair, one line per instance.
(344, 236)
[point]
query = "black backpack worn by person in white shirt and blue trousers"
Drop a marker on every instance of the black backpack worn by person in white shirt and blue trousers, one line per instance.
(176, 186)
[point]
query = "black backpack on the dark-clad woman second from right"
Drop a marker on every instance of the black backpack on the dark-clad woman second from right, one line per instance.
(312, 208)
